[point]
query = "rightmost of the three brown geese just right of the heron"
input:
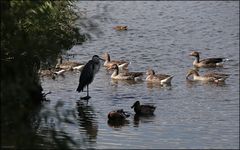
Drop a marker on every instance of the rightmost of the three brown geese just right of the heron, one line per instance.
(158, 78)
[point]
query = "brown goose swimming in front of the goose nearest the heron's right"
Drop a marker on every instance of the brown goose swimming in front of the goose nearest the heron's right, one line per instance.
(125, 75)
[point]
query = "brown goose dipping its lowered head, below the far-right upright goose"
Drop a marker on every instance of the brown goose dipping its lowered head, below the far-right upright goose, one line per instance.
(209, 77)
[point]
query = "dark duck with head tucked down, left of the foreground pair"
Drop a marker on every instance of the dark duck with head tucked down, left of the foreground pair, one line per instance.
(118, 115)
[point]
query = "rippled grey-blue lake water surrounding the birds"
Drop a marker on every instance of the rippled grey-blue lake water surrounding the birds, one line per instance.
(161, 35)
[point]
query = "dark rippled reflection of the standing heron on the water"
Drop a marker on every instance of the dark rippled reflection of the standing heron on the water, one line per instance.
(87, 120)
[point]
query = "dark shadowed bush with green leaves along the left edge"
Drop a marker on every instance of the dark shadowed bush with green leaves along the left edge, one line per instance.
(32, 33)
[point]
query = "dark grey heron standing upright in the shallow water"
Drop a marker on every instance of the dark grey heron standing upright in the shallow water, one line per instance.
(88, 73)
